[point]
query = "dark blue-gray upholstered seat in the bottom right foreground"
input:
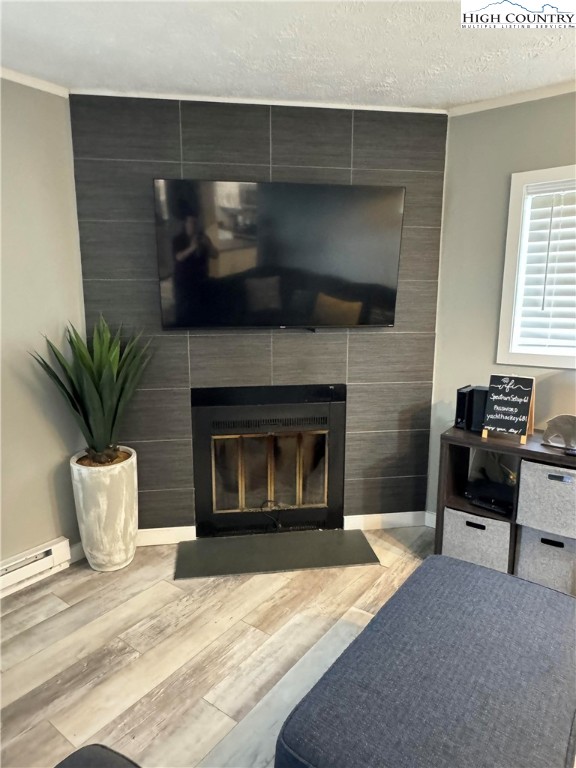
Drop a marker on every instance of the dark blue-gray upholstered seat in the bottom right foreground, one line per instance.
(464, 667)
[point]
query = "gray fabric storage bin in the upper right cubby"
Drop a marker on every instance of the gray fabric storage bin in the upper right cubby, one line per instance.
(547, 498)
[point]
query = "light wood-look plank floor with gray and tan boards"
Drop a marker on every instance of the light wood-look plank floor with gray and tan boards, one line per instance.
(180, 673)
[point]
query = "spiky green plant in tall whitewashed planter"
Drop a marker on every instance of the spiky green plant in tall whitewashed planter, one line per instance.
(97, 383)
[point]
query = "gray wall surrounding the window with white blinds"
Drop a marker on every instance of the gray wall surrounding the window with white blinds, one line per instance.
(483, 150)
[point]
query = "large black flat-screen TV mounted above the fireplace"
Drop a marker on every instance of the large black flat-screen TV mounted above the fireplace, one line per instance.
(242, 254)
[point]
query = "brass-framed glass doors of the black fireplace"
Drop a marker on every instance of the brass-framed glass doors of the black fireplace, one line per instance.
(263, 472)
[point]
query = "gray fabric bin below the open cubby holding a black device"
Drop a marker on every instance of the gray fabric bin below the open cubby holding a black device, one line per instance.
(476, 539)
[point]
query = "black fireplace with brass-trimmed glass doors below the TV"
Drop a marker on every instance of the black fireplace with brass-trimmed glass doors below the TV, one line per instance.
(268, 458)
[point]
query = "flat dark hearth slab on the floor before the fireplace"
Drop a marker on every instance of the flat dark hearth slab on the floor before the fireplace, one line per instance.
(269, 552)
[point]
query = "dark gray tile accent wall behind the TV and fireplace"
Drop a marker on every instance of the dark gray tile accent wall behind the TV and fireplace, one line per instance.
(121, 144)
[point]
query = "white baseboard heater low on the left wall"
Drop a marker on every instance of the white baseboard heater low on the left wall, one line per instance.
(37, 563)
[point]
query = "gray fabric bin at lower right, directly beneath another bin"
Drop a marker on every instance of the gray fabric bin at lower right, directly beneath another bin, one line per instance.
(546, 558)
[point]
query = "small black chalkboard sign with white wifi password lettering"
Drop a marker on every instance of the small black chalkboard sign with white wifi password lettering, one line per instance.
(510, 406)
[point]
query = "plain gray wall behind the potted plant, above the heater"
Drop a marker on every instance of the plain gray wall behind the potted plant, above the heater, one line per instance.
(41, 292)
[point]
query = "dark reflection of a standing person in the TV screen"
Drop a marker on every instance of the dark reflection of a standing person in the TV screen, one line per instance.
(193, 252)
